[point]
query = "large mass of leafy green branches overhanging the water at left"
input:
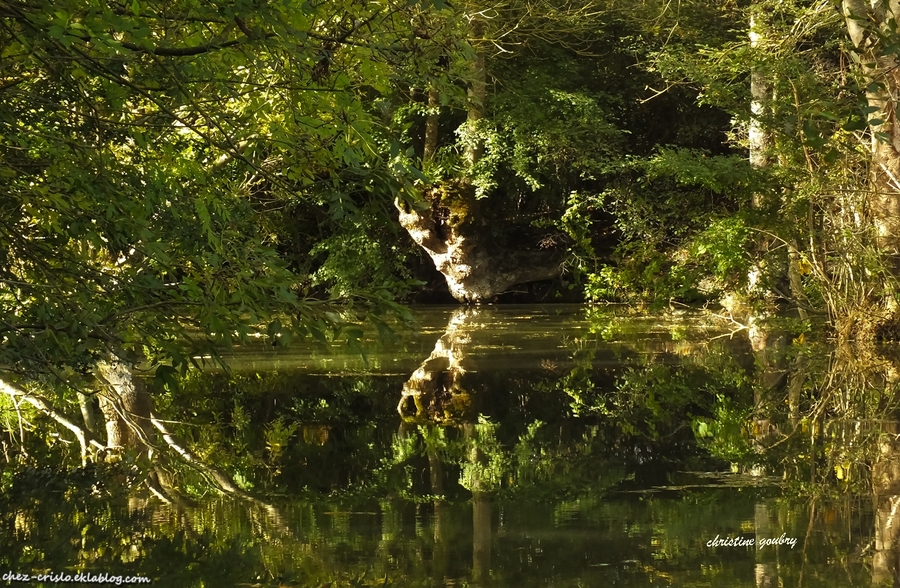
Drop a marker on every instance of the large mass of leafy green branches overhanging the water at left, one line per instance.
(145, 157)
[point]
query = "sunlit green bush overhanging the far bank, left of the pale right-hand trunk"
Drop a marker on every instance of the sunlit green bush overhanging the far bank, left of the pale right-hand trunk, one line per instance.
(682, 234)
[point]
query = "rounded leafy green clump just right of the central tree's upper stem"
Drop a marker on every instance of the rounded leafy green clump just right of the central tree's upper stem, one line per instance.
(553, 129)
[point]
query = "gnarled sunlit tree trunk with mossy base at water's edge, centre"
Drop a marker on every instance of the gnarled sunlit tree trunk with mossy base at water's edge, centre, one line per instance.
(451, 230)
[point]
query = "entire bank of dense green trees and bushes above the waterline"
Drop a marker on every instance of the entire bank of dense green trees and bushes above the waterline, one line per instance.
(181, 168)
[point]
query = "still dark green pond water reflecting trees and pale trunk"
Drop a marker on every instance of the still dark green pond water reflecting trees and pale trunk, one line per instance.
(509, 446)
